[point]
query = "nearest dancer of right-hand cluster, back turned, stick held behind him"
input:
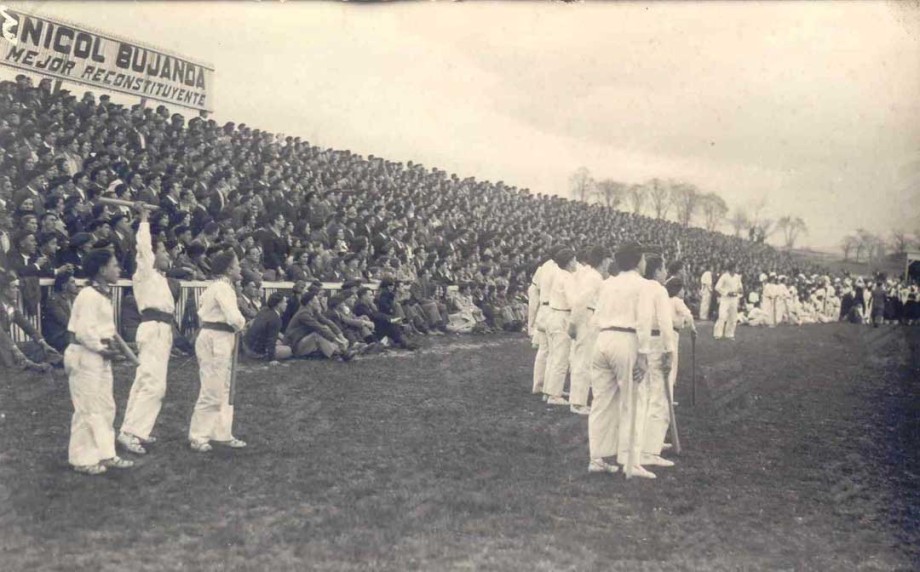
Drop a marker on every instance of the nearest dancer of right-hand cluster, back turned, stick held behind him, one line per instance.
(616, 355)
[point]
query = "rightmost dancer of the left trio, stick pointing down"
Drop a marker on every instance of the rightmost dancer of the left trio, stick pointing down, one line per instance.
(221, 320)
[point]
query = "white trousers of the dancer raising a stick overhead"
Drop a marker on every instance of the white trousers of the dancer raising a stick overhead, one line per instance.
(154, 344)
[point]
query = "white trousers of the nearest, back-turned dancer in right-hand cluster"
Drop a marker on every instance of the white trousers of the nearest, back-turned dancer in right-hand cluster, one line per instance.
(612, 364)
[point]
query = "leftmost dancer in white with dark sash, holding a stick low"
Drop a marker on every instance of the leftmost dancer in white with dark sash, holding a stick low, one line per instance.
(87, 362)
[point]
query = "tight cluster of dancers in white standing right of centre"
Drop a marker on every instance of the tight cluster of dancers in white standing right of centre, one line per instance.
(616, 337)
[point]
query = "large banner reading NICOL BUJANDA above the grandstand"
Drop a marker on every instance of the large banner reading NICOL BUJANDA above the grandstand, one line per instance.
(64, 51)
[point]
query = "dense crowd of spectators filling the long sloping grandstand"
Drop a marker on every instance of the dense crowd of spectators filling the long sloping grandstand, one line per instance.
(296, 212)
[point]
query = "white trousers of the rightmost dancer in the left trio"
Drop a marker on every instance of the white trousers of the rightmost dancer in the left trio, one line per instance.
(213, 415)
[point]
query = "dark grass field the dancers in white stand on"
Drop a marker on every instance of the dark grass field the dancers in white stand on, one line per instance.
(801, 453)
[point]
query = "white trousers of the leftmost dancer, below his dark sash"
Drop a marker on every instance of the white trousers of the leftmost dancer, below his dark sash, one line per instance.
(92, 434)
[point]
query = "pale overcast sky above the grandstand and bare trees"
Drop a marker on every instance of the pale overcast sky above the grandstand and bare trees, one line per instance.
(814, 105)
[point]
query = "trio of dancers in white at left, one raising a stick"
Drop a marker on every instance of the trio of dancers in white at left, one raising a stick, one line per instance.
(95, 342)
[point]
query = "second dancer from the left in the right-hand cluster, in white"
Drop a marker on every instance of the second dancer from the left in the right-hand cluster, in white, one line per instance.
(557, 327)
